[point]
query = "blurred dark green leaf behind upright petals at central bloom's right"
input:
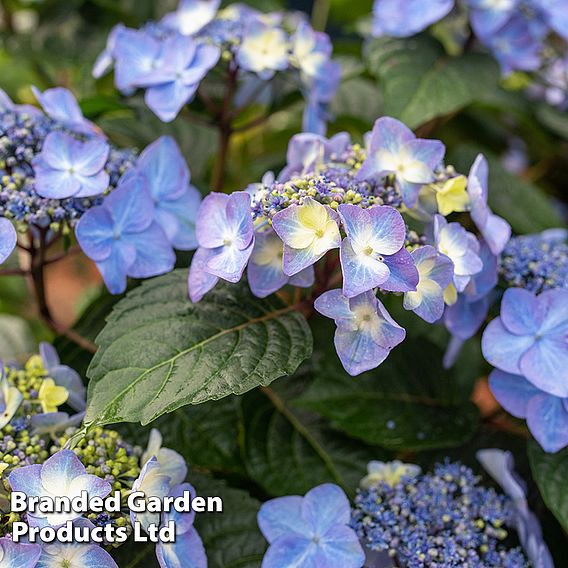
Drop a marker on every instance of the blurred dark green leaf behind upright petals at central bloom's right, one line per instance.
(510, 196)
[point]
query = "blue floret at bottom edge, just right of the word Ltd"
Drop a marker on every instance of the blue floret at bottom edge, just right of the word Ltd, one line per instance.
(187, 550)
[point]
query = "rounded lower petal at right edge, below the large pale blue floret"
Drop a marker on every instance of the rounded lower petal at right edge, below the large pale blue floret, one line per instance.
(547, 420)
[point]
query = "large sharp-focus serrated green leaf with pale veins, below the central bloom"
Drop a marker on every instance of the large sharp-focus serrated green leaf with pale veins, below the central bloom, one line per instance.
(159, 351)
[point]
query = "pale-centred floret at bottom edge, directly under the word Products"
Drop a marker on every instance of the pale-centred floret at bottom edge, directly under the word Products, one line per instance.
(73, 554)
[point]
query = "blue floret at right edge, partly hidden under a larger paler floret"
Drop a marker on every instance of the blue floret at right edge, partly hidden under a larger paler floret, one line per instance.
(546, 414)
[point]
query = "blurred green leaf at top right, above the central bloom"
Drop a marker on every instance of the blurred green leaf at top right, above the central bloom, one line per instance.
(420, 82)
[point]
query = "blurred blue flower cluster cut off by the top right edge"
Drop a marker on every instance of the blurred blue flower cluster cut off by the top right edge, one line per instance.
(517, 32)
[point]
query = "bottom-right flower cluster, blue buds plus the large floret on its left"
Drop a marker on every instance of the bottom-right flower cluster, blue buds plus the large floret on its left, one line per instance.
(405, 518)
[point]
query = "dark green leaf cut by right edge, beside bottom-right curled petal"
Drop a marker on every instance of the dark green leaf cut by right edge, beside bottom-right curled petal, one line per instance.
(550, 471)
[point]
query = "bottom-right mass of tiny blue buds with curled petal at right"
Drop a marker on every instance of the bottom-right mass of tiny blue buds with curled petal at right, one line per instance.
(411, 519)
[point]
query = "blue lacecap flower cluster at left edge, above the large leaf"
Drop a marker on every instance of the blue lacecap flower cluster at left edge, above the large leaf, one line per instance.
(59, 173)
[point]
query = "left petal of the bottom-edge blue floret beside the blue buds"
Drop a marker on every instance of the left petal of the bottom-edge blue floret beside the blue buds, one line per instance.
(281, 517)
